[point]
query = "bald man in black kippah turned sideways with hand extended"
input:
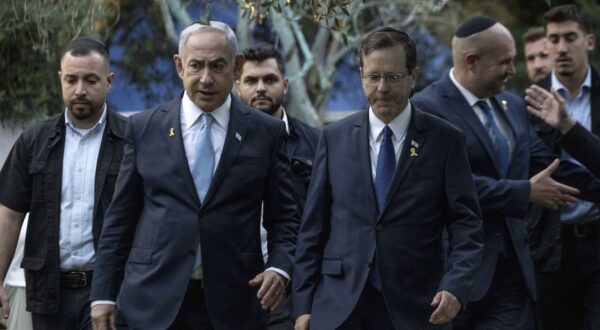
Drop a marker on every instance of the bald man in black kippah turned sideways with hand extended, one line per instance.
(511, 168)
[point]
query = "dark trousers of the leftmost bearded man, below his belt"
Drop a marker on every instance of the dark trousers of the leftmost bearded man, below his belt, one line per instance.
(73, 312)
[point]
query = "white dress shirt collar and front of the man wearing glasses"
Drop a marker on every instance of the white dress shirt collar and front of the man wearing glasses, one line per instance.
(399, 127)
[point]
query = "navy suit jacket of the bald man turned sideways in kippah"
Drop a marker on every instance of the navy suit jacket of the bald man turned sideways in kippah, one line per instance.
(504, 200)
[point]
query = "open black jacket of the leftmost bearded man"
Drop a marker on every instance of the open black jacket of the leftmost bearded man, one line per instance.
(31, 181)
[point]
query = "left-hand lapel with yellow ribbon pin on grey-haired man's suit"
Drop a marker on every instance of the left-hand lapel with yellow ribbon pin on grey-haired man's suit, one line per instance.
(171, 133)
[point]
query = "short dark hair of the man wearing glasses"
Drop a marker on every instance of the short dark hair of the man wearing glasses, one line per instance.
(388, 37)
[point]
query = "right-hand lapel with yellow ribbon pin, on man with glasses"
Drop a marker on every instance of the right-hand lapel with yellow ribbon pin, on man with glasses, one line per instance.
(408, 153)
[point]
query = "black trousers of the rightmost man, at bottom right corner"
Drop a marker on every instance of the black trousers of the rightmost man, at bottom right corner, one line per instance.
(570, 298)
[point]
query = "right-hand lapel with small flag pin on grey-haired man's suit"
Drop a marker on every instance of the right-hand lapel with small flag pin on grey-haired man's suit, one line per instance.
(235, 137)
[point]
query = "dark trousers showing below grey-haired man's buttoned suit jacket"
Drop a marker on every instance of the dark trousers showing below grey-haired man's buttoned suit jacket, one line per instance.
(192, 314)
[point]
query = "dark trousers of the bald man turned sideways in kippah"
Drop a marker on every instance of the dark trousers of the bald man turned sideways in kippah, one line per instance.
(506, 304)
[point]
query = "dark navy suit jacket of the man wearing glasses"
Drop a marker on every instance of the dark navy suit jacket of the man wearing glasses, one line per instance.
(342, 227)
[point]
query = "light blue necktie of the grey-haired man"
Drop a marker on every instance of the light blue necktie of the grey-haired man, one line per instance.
(202, 173)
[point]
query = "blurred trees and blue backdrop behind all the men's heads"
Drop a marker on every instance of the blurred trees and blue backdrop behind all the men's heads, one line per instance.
(317, 37)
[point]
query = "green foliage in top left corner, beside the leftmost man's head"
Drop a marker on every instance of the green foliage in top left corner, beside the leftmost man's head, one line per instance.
(32, 35)
